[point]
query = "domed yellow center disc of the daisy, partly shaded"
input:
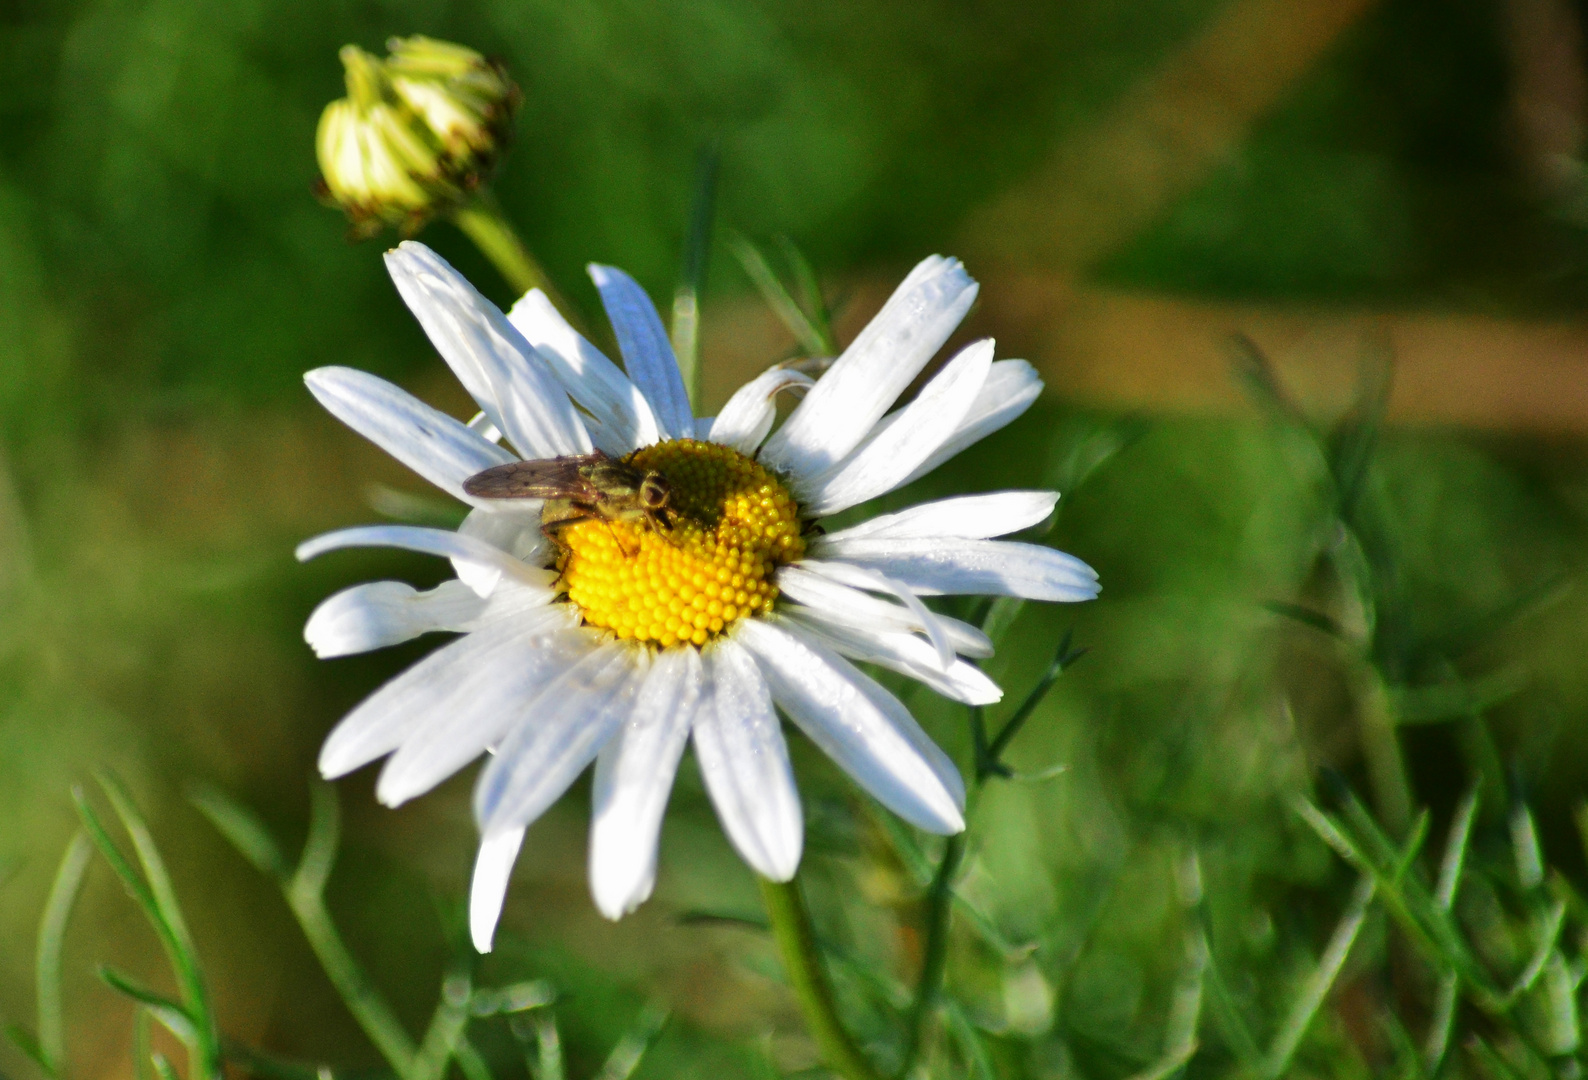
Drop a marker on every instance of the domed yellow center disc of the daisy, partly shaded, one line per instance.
(733, 525)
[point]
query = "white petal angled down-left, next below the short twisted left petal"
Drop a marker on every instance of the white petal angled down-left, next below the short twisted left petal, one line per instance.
(396, 711)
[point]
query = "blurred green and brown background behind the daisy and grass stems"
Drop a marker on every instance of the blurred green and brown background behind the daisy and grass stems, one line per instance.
(166, 279)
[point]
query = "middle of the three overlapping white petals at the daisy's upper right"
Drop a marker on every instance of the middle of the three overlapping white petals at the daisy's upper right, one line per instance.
(887, 461)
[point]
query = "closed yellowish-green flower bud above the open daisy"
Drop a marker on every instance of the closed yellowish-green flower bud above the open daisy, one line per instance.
(417, 136)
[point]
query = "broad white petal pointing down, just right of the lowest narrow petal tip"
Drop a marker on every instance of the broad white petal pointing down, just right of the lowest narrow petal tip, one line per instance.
(634, 776)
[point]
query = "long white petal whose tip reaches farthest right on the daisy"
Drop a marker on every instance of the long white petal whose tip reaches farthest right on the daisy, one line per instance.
(990, 568)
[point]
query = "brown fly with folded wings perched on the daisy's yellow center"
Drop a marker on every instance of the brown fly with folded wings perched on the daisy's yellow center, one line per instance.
(580, 488)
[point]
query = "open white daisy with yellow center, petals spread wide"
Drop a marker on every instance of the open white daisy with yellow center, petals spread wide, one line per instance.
(626, 639)
